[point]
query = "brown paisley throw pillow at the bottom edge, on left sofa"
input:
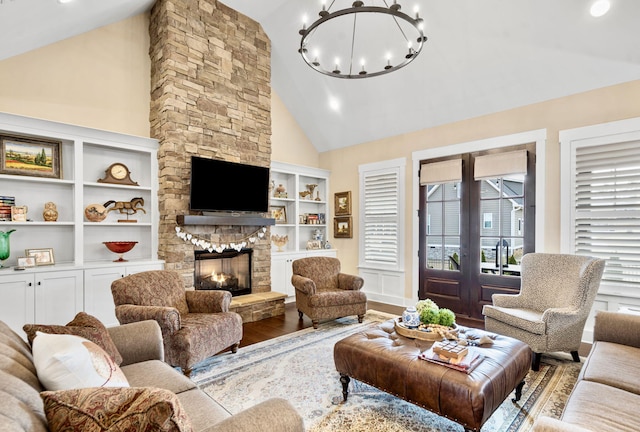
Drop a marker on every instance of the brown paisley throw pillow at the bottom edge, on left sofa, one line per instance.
(125, 409)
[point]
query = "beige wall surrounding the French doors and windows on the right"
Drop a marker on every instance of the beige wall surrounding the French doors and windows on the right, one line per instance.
(598, 106)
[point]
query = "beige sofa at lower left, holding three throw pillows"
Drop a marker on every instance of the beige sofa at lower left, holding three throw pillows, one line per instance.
(140, 344)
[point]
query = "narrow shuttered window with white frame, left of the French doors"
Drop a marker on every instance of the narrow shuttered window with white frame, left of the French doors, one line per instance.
(382, 211)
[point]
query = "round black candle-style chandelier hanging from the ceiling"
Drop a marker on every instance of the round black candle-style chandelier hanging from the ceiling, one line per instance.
(378, 37)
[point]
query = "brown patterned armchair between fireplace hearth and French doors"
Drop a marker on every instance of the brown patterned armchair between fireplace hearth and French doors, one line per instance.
(322, 292)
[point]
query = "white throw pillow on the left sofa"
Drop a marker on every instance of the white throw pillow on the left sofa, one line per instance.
(67, 361)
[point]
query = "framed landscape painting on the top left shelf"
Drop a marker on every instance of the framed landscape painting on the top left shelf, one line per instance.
(30, 157)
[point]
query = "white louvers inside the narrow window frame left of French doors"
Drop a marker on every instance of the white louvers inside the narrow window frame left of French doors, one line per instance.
(381, 217)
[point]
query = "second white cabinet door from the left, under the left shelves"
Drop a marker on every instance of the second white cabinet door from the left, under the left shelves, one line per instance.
(59, 296)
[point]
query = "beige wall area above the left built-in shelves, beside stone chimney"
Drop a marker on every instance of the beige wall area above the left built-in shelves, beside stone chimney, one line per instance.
(99, 79)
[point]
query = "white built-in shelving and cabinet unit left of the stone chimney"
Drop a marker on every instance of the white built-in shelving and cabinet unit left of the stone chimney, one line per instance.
(81, 276)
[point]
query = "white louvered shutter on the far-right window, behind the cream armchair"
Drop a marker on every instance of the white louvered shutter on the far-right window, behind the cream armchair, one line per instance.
(607, 208)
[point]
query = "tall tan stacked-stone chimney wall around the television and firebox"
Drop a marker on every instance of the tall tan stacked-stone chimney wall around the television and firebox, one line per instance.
(211, 97)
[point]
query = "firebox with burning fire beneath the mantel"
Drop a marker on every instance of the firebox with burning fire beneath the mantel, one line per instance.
(229, 270)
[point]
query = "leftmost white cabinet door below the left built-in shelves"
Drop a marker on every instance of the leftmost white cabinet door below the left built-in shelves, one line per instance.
(17, 292)
